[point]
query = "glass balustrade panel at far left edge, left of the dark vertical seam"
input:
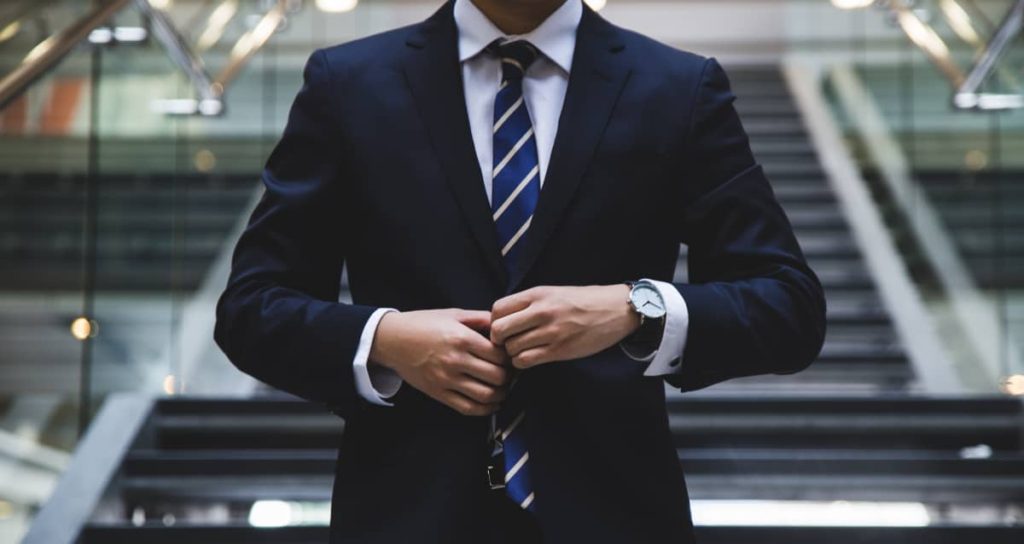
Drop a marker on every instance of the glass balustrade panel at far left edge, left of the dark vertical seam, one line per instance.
(45, 203)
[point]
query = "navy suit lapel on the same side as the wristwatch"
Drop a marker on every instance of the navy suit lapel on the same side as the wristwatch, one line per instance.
(598, 77)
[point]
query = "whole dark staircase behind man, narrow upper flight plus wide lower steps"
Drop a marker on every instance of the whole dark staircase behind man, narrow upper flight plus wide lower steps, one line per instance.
(851, 429)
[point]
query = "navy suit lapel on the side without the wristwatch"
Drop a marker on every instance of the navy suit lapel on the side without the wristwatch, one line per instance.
(435, 76)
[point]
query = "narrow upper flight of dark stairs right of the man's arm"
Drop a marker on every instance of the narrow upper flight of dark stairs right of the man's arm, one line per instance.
(863, 354)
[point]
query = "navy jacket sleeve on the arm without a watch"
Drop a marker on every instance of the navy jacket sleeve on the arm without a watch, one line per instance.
(279, 320)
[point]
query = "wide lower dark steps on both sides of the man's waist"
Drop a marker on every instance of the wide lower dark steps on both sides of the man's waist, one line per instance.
(196, 468)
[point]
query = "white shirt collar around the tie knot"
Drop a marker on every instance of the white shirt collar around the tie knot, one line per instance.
(556, 37)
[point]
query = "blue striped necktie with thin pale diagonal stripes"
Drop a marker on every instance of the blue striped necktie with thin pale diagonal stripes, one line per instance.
(517, 187)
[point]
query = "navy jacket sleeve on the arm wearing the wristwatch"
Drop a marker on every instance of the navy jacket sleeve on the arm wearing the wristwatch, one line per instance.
(755, 306)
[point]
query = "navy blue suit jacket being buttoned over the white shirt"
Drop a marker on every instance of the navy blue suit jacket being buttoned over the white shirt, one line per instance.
(376, 171)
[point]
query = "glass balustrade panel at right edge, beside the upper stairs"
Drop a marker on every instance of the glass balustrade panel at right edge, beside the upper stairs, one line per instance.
(966, 166)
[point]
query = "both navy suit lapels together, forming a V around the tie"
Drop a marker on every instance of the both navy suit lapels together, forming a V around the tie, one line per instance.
(435, 77)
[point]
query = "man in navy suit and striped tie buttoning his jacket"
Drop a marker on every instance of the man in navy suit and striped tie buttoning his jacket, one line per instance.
(508, 184)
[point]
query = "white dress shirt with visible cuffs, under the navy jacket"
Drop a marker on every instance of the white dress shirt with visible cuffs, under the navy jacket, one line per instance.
(544, 92)
